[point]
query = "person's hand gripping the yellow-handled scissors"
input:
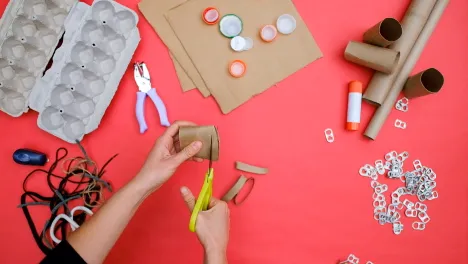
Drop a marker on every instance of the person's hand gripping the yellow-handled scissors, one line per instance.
(212, 226)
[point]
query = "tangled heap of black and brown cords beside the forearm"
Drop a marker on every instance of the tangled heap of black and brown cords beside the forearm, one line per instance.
(68, 181)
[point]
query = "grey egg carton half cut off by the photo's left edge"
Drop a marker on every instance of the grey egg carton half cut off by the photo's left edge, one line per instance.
(29, 33)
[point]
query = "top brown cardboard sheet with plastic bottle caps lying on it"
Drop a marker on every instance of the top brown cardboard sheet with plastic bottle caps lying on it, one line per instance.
(267, 63)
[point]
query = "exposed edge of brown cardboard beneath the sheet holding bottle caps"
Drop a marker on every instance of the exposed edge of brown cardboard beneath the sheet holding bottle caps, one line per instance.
(154, 13)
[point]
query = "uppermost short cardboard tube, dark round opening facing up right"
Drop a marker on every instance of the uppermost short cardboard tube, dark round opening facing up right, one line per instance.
(384, 33)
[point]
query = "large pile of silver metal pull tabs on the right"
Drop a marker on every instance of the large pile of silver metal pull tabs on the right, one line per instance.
(420, 182)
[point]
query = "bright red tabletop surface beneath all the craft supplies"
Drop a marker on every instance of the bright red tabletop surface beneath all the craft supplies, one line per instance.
(313, 207)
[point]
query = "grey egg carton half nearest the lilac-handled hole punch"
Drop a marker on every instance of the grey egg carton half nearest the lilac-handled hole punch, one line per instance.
(75, 92)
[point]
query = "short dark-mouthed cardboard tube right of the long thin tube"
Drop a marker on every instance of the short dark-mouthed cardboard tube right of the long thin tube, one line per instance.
(424, 83)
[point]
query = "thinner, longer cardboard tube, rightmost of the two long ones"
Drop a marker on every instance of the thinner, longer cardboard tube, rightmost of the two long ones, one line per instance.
(383, 111)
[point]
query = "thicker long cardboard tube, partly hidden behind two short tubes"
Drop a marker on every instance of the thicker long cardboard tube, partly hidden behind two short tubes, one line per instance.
(413, 22)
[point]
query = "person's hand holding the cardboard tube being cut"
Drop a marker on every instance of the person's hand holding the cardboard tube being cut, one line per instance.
(166, 156)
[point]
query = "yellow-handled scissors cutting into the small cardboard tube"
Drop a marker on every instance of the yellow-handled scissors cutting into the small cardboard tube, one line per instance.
(206, 192)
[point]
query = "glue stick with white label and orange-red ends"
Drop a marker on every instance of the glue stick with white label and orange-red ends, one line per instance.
(354, 106)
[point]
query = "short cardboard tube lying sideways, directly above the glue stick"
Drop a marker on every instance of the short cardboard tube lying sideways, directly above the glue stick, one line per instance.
(377, 58)
